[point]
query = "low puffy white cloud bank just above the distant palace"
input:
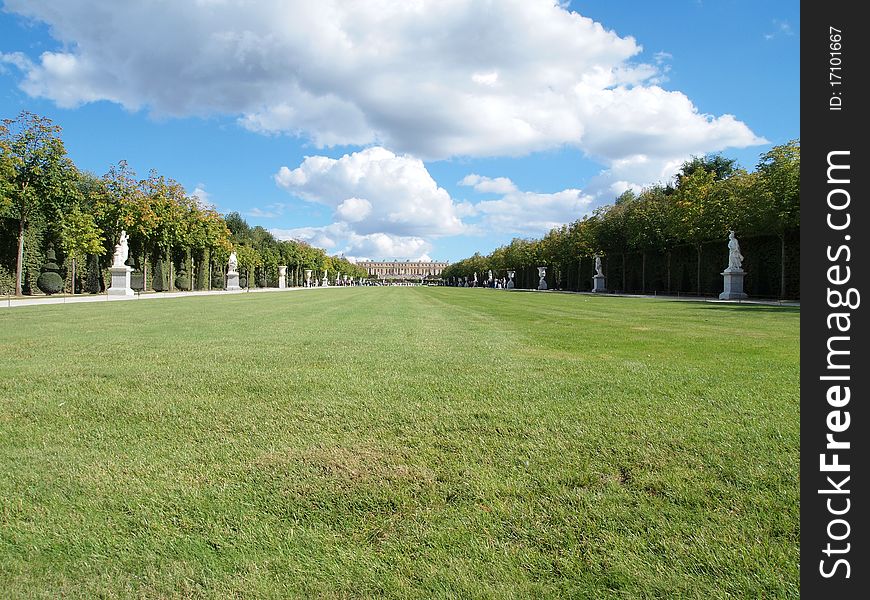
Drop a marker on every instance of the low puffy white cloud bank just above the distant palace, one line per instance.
(388, 206)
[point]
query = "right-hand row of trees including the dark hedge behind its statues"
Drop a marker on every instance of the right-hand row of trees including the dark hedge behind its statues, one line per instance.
(677, 226)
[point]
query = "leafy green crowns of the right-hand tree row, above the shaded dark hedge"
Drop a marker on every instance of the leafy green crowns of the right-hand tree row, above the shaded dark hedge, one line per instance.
(708, 197)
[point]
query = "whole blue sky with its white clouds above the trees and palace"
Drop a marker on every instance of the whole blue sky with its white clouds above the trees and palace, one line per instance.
(396, 129)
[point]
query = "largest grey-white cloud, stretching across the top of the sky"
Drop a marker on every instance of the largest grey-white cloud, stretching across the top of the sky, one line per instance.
(432, 79)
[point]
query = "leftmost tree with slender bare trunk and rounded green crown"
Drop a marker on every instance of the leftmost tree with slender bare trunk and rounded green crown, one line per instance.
(38, 173)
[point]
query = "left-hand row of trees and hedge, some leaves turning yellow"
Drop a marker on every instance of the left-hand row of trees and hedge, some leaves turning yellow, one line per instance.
(175, 240)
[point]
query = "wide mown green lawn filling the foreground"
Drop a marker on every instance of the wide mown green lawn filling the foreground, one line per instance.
(399, 442)
